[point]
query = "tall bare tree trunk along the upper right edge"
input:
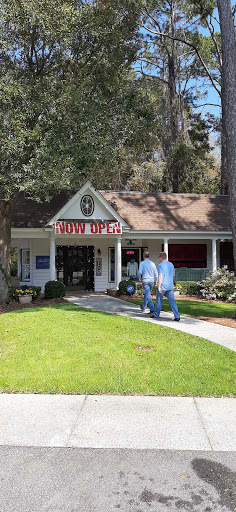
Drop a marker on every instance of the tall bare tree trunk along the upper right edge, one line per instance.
(229, 103)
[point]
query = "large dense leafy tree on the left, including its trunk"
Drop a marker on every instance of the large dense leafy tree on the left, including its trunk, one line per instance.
(59, 59)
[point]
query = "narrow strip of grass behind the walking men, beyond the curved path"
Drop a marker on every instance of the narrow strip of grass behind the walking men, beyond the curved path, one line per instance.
(197, 308)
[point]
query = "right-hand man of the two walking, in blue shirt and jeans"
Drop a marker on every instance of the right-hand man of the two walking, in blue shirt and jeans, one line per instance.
(166, 274)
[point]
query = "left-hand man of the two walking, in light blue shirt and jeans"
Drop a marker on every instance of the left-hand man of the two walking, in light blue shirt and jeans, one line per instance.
(148, 275)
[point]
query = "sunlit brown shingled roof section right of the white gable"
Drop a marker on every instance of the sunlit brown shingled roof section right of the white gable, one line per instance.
(171, 212)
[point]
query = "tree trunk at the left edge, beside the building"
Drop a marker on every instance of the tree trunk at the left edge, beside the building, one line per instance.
(5, 244)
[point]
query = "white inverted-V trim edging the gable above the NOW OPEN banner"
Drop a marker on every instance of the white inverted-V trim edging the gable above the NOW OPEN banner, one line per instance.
(87, 186)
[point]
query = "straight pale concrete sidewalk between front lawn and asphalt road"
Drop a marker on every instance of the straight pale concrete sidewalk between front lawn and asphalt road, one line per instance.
(128, 422)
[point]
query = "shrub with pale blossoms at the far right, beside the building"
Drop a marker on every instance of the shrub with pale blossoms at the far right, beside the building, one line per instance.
(220, 285)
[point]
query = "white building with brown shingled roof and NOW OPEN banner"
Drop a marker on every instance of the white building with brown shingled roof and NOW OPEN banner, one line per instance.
(87, 238)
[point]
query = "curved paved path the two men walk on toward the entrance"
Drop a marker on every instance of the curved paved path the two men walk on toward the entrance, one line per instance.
(225, 336)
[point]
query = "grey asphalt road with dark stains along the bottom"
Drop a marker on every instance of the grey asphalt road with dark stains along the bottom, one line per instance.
(105, 480)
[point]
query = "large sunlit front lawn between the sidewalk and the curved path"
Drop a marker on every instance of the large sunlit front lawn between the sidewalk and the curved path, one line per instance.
(66, 349)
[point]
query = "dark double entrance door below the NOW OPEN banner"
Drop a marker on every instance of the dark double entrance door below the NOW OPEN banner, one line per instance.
(75, 266)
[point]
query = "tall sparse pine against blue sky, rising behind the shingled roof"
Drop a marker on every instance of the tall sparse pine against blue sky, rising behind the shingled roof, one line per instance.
(170, 57)
